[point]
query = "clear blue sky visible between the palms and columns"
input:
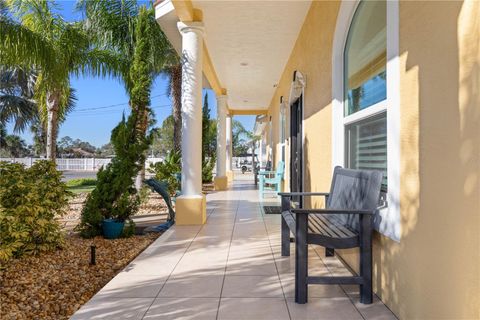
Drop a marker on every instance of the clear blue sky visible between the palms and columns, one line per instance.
(101, 102)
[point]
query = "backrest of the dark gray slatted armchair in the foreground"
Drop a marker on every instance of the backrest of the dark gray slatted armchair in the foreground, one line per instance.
(354, 189)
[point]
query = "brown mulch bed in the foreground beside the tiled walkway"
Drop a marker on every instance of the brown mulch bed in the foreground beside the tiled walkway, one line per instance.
(54, 285)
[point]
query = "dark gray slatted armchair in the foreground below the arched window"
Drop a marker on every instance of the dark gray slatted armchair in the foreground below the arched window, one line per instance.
(346, 222)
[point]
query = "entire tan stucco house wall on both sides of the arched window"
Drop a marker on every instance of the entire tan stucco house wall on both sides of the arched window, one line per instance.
(433, 273)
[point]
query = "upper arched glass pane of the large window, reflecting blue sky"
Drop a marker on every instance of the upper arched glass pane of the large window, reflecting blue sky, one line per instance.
(365, 57)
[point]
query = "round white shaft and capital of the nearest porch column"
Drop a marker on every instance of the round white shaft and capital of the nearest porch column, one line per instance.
(192, 54)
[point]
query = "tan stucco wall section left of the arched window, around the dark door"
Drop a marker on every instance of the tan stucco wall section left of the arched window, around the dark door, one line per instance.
(312, 52)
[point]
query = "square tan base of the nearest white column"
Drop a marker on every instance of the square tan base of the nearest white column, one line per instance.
(191, 210)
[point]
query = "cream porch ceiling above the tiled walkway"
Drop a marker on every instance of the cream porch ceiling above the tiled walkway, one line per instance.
(249, 43)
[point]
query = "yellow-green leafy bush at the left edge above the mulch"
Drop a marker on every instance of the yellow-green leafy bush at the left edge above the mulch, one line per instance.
(30, 199)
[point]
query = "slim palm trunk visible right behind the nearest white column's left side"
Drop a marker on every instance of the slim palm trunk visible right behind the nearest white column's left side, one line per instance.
(176, 95)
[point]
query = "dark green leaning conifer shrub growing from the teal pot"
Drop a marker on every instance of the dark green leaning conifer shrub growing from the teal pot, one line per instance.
(115, 195)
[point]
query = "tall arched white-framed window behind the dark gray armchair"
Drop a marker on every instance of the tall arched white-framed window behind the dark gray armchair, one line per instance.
(365, 89)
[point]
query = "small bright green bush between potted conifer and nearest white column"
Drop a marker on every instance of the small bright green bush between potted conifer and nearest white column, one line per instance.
(167, 170)
